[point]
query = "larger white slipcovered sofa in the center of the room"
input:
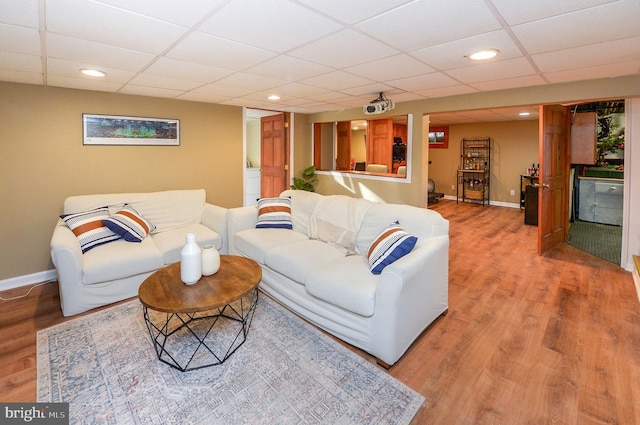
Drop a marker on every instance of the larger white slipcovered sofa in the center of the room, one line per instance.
(324, 282)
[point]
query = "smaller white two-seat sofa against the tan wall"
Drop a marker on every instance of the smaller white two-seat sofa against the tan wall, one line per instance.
(112, 272)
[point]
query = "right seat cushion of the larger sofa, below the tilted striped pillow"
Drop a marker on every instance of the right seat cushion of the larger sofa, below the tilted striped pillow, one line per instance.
(346, 283)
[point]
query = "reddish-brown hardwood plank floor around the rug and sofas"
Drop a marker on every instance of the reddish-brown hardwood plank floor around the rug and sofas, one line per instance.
(528, 339)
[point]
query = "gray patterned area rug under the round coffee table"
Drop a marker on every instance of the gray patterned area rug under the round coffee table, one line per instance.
(287, 372)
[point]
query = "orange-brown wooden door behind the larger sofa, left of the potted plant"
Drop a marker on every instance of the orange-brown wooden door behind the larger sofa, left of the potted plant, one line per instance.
(273, 156)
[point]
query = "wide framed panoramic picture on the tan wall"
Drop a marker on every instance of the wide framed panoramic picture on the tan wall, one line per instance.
(127, 130)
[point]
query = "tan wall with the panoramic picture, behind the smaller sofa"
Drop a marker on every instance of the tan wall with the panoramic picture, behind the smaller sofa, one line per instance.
(43, 160)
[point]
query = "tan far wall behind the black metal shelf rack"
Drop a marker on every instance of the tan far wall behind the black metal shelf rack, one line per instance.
(514, 147)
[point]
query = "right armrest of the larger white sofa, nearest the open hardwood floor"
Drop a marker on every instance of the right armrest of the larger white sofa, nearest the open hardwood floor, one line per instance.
(411, 294)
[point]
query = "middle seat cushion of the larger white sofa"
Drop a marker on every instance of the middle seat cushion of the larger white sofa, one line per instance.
(295, 259)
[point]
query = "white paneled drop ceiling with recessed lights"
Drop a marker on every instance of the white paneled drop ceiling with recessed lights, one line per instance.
(317, 55)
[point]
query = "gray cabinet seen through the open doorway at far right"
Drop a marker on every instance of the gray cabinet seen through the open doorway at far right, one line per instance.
(600, 201)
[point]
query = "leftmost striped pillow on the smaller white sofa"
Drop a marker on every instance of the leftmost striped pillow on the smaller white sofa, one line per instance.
(88, 228)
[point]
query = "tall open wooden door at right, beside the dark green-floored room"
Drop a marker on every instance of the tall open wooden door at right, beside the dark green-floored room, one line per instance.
(553, 198)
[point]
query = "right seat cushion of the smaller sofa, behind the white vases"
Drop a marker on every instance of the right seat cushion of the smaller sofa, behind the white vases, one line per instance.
(171, 242)
